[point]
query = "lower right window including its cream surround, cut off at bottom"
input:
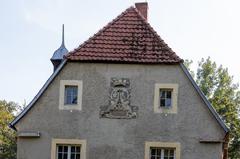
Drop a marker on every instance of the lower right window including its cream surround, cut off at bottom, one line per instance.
(162, 150)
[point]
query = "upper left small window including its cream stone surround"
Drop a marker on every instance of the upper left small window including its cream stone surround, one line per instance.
(70, 95)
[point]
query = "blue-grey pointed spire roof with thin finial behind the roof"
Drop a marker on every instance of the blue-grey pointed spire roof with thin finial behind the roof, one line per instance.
(61, 51)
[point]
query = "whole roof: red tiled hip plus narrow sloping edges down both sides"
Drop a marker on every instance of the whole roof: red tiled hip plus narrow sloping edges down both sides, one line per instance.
(127, 39)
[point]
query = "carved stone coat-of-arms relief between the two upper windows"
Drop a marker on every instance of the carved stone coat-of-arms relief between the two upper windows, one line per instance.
(119, 101)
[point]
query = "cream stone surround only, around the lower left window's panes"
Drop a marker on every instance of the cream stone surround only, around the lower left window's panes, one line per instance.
(82, 143)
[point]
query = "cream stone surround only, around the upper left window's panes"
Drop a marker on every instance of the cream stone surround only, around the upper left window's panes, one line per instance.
(64, 83)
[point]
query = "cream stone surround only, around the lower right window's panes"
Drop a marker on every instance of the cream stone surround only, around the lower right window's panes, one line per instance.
(174, 145)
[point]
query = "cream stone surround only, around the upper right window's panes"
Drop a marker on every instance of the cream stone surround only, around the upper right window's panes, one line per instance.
(173, 108)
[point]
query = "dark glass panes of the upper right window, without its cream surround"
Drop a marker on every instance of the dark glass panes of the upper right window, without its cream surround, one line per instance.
(165, 98)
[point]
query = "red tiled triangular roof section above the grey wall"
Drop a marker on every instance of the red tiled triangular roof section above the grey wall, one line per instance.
(127, 39)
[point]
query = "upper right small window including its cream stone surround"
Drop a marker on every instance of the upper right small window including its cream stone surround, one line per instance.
(165, 98)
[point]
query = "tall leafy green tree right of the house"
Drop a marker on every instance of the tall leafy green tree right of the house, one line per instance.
(218, 86)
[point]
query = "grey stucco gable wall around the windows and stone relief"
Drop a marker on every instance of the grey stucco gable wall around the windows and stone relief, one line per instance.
(121, 138)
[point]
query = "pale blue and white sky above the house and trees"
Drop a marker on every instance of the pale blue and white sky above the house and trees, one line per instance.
(30, 31)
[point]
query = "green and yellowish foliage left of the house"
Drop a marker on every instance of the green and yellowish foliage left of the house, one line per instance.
(7, 136)
